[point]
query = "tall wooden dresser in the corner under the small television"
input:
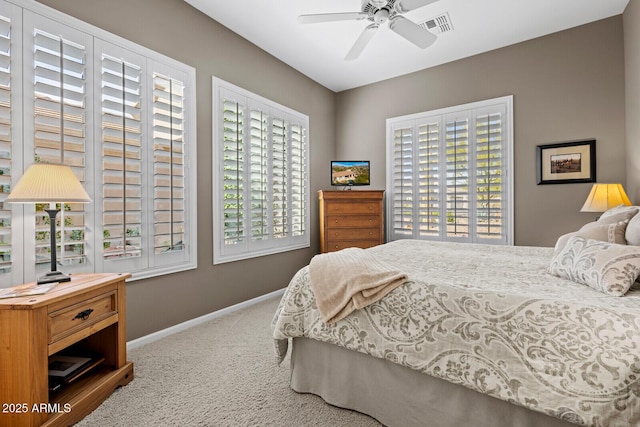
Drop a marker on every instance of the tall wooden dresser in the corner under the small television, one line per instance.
(350, 219)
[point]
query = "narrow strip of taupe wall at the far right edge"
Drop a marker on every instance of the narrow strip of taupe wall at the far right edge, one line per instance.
(631, 24)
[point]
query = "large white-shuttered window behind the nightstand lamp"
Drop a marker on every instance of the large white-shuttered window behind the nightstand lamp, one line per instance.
(121, 116)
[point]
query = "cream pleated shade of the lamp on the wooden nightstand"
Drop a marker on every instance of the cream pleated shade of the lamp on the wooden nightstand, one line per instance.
(43, 182)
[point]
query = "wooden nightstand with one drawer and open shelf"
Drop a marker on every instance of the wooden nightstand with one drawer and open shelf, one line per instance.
(84, 316)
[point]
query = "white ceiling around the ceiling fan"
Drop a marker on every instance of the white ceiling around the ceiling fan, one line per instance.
(318, 50)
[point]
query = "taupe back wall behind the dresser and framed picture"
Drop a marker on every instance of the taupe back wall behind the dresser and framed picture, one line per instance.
(566, 86)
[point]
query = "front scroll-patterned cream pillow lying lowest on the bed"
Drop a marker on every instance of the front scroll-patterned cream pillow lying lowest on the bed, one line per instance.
(607, 267)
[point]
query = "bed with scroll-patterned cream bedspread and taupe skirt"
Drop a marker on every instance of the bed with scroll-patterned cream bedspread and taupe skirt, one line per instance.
(477, 335)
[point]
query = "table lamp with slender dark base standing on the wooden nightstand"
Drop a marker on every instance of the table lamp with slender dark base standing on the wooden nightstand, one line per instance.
(52, 183)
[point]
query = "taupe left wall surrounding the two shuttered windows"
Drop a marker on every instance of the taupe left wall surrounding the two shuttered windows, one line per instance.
(174, 28)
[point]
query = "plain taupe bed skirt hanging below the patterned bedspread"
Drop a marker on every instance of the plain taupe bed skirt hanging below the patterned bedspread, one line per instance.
(399, 396)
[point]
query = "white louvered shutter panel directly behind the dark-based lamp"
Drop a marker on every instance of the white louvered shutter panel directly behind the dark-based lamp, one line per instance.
(59, 112)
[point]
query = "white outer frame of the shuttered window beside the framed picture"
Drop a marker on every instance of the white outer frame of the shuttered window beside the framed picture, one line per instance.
(412, 119)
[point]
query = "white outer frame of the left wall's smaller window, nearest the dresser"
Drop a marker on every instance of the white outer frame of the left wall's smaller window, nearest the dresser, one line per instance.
(270, 246)
